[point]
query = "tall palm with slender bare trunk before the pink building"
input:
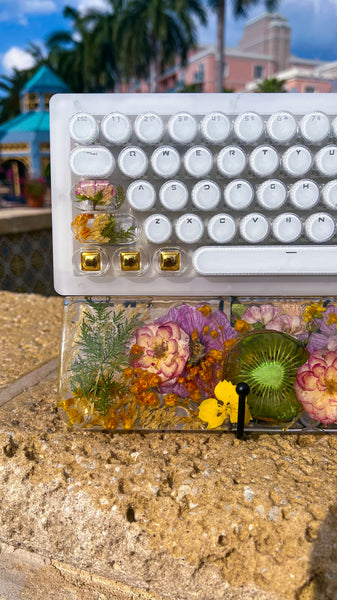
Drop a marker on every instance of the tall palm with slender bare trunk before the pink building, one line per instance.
(240, 9)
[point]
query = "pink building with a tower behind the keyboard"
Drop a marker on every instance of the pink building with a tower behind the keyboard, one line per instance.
(263, 52)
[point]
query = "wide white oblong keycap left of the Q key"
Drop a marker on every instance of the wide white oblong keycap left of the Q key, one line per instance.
(92, 161)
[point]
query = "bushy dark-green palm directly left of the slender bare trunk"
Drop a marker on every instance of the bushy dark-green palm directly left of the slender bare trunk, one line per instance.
(154, 33)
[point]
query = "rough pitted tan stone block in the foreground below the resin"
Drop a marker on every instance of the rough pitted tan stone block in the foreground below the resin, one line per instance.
(168, 516)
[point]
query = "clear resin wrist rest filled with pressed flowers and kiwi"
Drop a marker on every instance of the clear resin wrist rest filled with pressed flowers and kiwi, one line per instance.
(158, 364)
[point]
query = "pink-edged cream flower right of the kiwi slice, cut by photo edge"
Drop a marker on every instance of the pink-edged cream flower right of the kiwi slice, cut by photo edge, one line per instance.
(316, 386)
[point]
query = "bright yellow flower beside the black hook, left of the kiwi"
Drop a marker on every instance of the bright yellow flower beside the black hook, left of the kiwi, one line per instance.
(214, 411)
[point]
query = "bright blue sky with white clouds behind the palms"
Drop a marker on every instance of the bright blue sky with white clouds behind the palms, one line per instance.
(313, 23)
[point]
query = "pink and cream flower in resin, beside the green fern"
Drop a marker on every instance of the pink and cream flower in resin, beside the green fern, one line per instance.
(162, 349)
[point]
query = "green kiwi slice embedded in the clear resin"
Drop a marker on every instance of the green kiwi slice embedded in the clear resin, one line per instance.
(268, 361)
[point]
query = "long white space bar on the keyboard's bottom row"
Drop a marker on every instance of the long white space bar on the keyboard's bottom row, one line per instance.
(266, 260)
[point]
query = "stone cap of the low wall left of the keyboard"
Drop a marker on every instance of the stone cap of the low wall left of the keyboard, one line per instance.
(17, 220)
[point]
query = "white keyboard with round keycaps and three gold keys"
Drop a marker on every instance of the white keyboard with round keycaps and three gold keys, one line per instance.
(194, 194)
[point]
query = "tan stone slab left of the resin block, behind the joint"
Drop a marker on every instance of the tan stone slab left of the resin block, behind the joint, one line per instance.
(30, 327)
